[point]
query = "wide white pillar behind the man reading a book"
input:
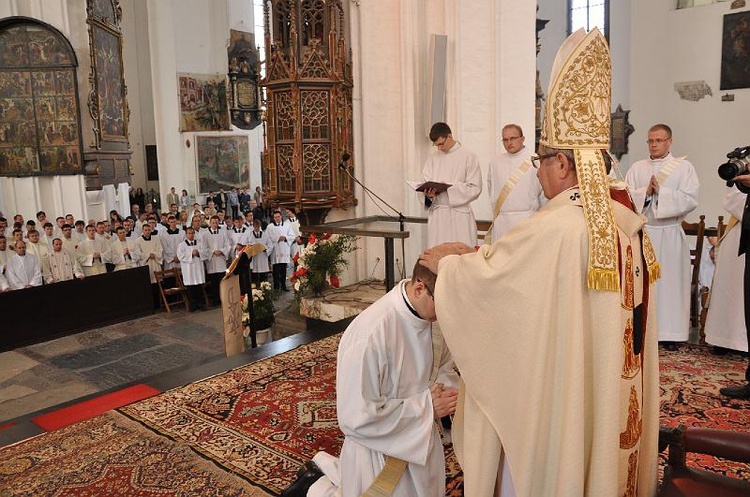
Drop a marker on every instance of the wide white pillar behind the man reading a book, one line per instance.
(490, 81)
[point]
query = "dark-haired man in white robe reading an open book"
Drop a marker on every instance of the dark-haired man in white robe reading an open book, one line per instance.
(450, 217)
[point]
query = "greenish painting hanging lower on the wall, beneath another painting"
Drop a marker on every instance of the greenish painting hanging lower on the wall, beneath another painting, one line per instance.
(223, 162)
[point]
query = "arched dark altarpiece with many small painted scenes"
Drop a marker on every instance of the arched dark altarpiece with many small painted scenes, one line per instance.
(39, 117)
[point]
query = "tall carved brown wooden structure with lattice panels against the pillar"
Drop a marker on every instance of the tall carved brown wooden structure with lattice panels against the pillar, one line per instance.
(309, 104)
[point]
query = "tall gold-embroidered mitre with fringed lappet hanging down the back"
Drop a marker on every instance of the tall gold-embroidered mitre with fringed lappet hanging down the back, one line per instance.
(577, 117)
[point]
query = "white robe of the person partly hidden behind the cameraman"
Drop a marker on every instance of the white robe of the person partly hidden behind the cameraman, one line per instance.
(725, 322)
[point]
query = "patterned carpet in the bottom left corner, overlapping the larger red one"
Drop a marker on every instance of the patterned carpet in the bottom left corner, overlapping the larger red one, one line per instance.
(111, 455)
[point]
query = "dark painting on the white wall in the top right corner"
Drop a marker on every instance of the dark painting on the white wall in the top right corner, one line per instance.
(735, 51)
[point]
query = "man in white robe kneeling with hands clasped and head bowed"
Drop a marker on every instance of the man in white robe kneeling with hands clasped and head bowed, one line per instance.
(390, 391)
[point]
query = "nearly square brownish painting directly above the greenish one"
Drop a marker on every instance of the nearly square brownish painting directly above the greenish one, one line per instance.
(203, 103)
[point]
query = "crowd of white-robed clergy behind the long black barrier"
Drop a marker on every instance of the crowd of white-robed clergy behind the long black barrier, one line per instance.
(201, 243)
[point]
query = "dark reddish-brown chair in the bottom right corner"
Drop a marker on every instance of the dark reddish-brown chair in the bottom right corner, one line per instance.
(681, 480)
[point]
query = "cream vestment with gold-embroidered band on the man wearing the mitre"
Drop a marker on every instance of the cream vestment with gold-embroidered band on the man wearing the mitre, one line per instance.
(548, 364)
